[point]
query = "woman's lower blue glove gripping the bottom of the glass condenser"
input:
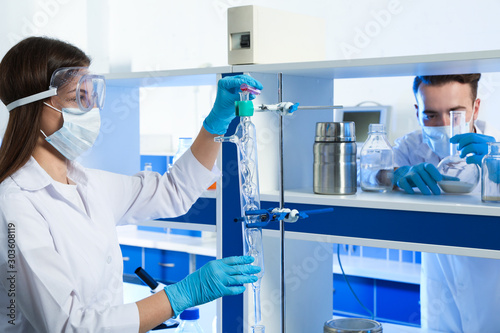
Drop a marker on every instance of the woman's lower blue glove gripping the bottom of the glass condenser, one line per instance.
(215, 279)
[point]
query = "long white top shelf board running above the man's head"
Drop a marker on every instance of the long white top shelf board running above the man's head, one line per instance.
(409, 65)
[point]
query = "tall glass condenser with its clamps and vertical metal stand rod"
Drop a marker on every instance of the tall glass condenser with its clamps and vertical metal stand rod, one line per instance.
(253, 218)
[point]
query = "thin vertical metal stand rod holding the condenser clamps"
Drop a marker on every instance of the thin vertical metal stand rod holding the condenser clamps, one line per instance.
(282, 205)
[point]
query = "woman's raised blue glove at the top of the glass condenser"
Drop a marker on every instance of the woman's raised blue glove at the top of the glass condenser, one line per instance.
(222, 113)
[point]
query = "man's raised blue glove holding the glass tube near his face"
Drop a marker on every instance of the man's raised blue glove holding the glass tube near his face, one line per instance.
(472, 143)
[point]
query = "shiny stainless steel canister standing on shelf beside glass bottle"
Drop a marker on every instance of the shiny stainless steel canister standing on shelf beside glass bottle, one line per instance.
(335, 158)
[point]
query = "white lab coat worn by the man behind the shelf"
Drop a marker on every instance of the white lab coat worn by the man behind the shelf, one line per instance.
(458, 294)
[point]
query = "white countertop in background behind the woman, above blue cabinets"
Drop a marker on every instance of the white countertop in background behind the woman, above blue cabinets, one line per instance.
(179, 243)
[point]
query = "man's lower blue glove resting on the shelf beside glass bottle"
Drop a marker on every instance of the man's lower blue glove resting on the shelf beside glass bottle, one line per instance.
(424, 176)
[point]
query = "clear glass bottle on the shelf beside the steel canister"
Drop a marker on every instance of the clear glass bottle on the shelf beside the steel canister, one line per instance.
(376, 161)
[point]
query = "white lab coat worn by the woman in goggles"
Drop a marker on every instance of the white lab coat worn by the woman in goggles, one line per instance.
(67, 268)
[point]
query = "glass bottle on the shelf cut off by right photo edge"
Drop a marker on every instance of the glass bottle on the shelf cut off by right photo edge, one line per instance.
(490, 182)
